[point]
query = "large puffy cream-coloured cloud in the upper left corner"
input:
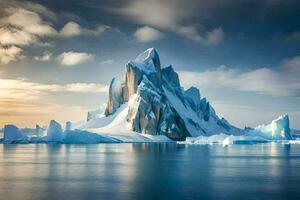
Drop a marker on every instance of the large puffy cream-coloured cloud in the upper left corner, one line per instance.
(22, 27)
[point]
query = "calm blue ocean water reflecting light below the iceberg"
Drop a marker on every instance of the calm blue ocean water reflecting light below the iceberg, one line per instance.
(149, 171)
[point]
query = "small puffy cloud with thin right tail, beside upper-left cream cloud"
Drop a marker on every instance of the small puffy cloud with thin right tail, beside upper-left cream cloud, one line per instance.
(72, 29)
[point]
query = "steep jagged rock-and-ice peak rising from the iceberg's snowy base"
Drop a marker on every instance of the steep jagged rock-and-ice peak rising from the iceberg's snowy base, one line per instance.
(158, 105)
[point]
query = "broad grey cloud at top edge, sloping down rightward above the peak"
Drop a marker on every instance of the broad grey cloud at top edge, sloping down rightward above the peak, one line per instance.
(170, 16)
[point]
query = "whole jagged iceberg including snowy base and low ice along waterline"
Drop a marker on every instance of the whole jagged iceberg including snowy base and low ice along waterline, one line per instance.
(150, 105)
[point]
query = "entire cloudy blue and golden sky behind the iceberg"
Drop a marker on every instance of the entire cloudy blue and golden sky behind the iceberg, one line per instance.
(58, 57)
